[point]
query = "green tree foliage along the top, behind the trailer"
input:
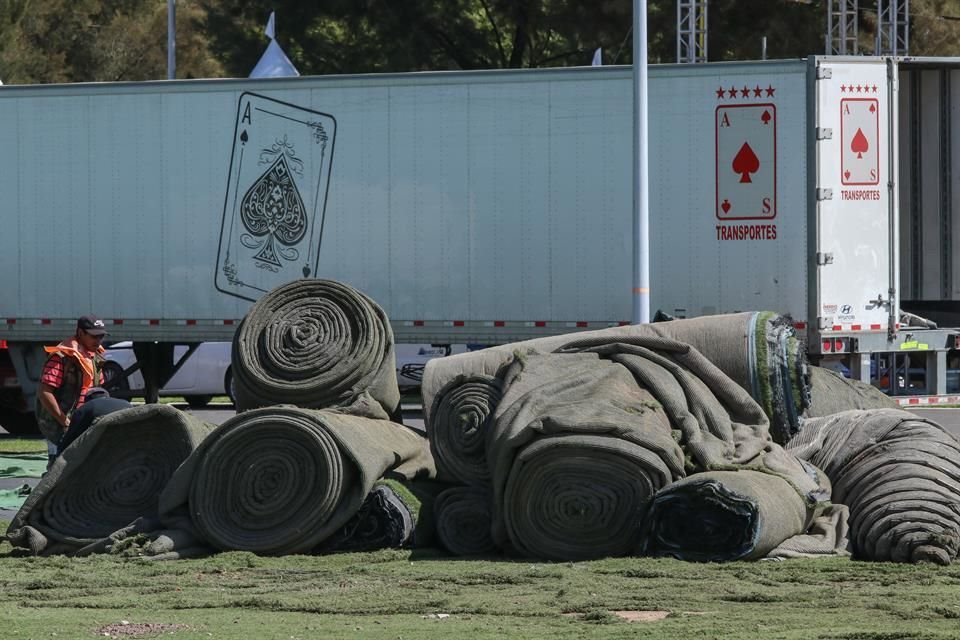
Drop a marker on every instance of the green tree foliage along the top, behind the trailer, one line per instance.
(104, 40)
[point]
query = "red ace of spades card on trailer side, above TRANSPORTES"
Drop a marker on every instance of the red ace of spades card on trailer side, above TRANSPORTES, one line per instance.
(746, 162)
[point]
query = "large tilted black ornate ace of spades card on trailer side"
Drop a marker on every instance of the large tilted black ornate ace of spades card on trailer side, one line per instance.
(276, 196)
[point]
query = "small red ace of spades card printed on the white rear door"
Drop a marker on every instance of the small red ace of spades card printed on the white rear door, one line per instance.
(859, 133)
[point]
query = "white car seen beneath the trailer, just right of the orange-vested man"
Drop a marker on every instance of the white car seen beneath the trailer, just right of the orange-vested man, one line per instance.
(205, 374)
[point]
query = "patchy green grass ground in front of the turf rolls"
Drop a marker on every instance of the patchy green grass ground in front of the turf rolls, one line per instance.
(424, 594)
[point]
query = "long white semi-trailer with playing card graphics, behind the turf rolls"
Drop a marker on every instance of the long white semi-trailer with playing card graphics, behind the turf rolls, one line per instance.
(487, 206)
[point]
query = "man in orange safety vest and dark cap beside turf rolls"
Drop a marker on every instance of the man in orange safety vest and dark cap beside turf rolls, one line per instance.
(72, 368)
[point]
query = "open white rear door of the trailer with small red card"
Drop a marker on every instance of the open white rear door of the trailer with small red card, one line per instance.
(855, 230)
